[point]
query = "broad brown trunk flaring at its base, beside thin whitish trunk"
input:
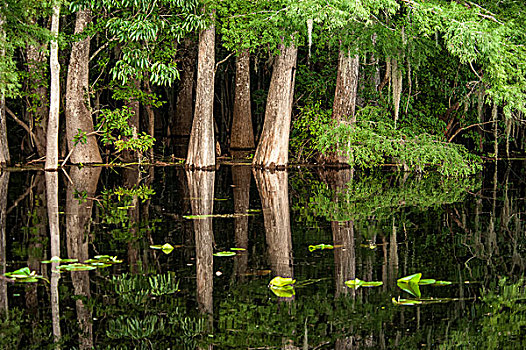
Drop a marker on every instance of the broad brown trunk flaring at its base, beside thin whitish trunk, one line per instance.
(78, 115)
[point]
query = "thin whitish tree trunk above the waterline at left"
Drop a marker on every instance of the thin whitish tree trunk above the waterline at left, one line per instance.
(54, 99)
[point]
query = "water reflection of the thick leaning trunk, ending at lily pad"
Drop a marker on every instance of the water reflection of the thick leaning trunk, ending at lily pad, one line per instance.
(274, 193)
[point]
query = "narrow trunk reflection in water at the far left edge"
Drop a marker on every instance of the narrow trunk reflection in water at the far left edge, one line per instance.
(4, 182)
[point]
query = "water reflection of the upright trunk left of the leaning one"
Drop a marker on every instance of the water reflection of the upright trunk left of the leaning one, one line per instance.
(201, 185)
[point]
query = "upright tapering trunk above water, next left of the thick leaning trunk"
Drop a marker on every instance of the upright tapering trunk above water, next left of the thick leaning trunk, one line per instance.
(201, 148)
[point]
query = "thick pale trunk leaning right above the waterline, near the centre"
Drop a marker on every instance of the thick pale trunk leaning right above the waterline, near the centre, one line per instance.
(273, 147)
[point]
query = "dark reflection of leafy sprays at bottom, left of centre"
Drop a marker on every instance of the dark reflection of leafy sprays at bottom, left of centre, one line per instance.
(144, 314)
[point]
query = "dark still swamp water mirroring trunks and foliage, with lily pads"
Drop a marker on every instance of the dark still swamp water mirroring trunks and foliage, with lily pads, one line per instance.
(227, 234)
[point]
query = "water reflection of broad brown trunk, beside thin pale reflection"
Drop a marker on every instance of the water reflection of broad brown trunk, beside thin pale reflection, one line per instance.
(78, 216)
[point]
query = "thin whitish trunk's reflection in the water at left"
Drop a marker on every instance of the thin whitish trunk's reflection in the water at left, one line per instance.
(54, 231)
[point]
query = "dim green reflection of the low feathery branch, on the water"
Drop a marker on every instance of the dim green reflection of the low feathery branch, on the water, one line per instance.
(378, 197)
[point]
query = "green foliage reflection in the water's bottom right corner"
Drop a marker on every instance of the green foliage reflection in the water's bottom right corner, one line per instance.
(501, 322)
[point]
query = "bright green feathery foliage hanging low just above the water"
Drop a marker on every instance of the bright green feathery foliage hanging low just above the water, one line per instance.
(368, 144)
